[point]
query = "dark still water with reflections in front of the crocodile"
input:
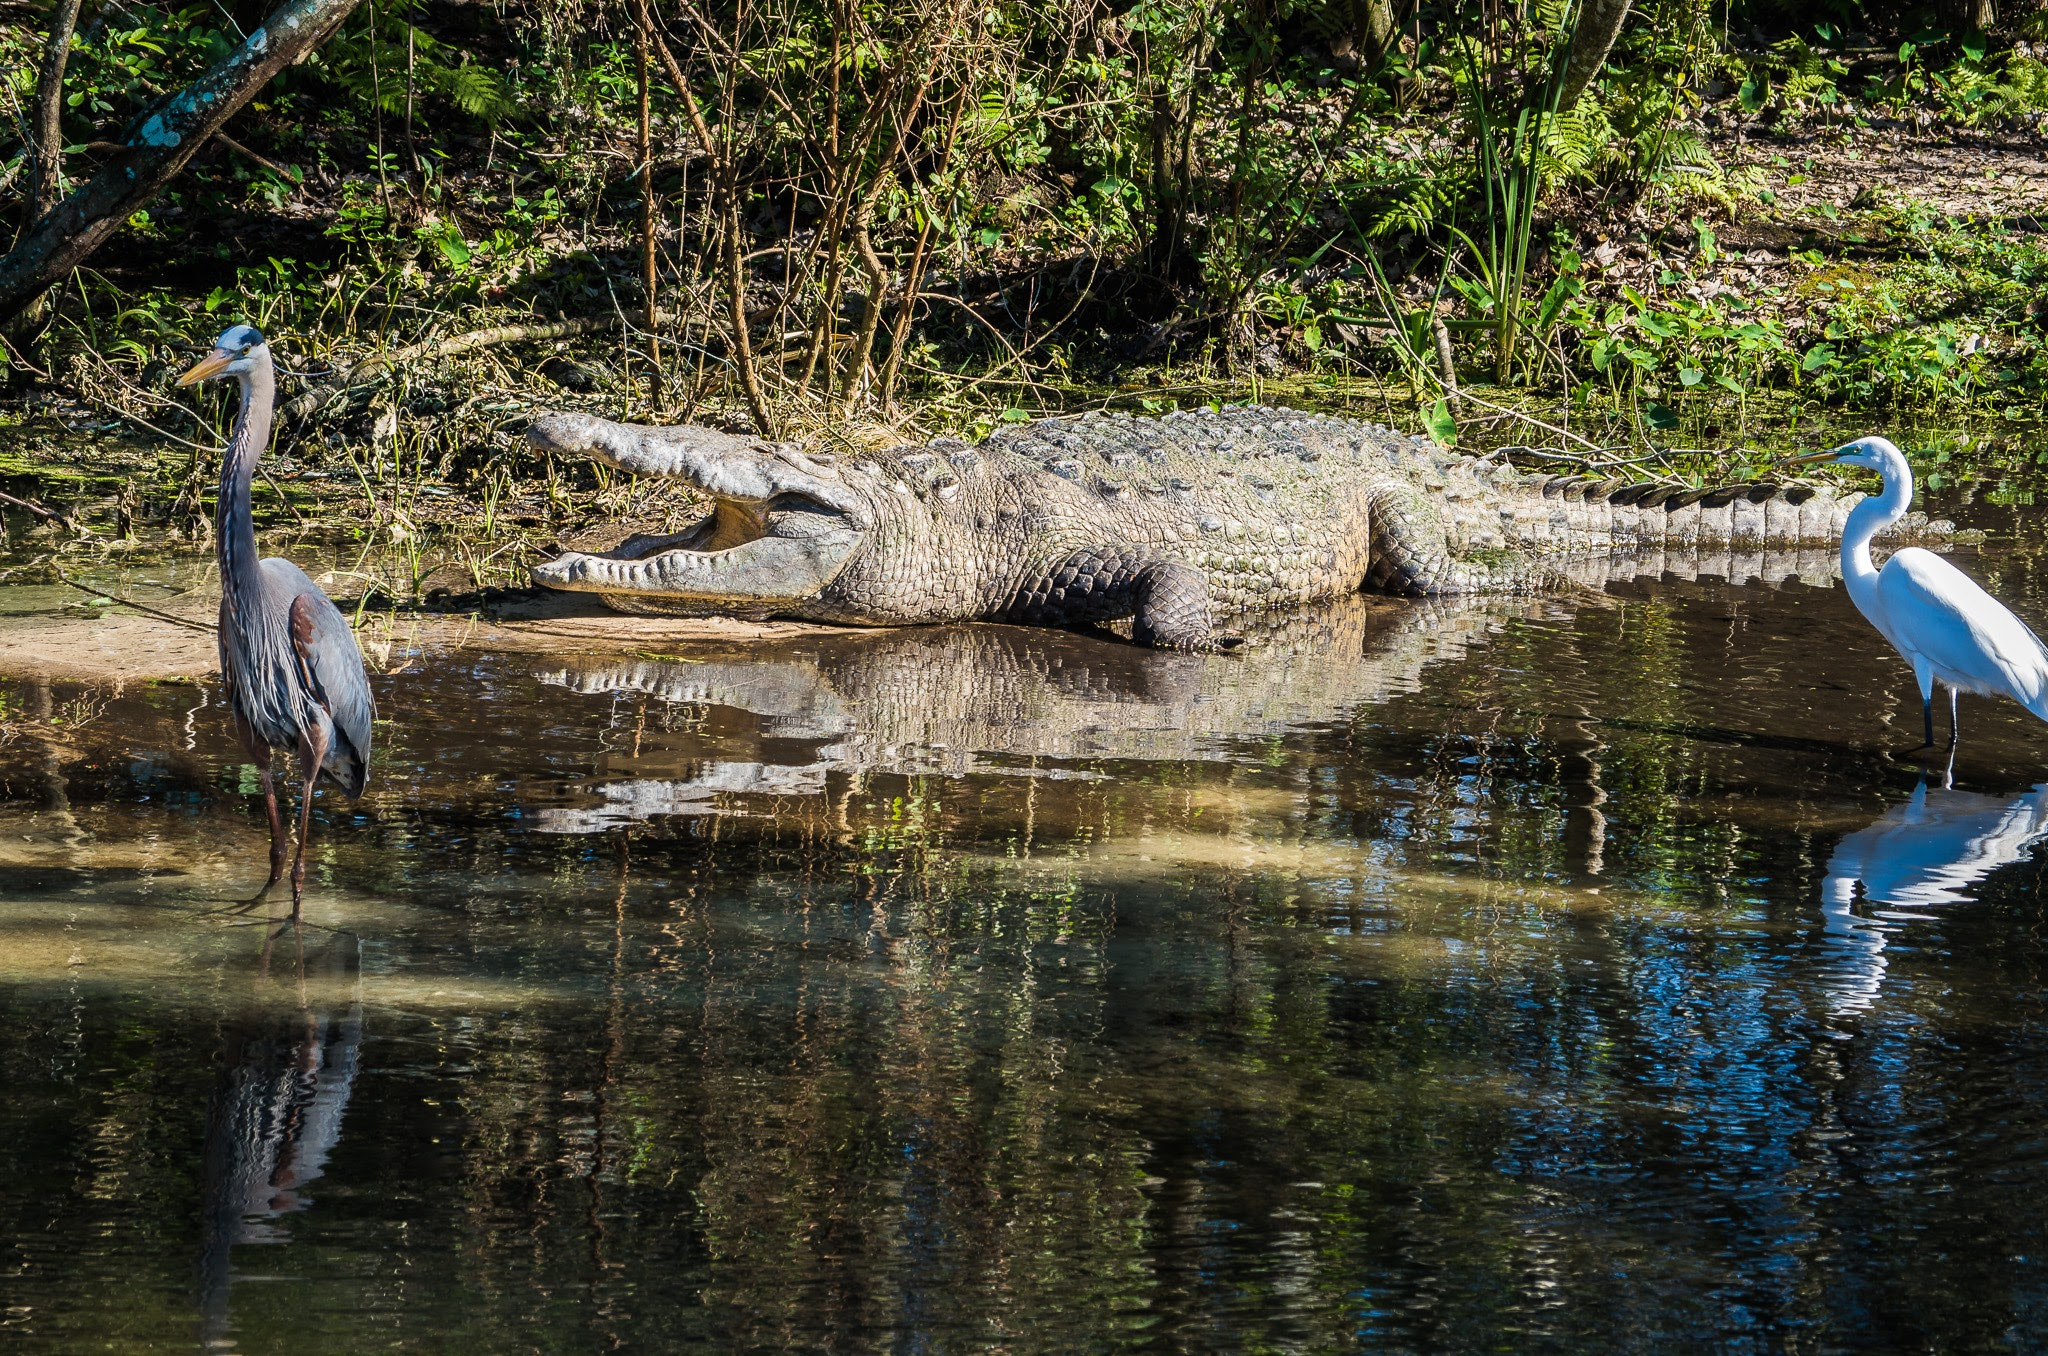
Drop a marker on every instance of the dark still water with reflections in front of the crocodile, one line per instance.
(1558, 974)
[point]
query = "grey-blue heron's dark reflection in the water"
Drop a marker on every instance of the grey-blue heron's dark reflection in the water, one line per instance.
(288, 1068)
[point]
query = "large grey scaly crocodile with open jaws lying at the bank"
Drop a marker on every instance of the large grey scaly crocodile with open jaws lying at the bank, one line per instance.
(1162, 521)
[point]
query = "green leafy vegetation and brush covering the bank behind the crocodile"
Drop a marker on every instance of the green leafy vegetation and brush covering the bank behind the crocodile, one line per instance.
(1574, 226)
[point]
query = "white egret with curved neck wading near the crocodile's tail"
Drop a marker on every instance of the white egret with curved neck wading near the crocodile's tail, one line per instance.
(1932, 613)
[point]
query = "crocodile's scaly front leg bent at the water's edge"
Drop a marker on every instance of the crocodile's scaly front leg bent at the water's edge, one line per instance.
(1168, 603)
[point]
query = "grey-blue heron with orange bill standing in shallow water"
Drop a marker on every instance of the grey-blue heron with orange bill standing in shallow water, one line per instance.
(290, 661)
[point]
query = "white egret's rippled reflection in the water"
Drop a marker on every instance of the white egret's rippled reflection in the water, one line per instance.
(1924, 853)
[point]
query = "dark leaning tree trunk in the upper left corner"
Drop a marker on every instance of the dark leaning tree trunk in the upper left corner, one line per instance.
(157, 151)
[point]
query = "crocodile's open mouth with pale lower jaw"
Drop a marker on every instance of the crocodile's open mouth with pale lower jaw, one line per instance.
(744, 558)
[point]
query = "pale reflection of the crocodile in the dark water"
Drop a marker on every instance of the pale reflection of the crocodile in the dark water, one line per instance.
(980, 697)
